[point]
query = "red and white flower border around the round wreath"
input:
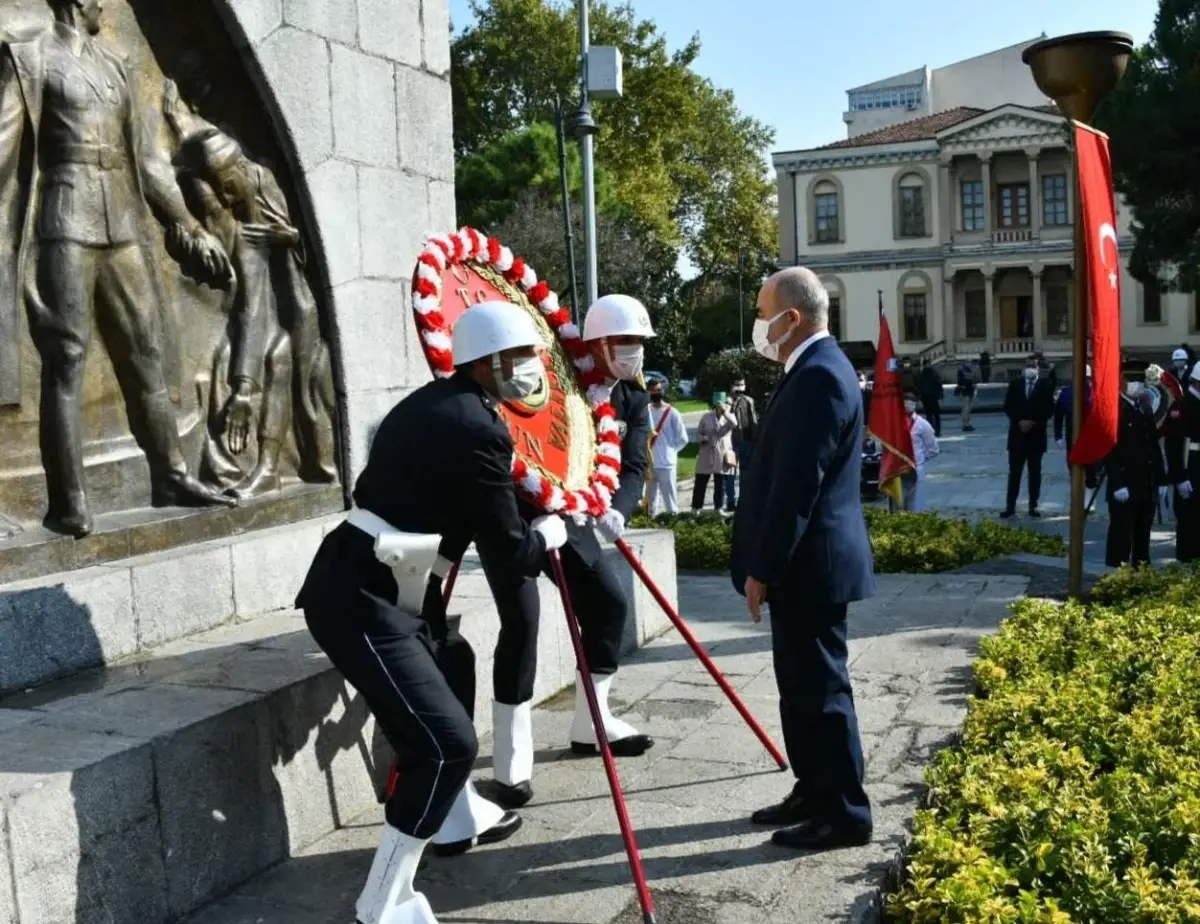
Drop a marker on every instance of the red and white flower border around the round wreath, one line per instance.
(443, 251)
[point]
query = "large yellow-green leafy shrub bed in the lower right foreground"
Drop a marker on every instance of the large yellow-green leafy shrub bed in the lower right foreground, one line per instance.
(1075, 795)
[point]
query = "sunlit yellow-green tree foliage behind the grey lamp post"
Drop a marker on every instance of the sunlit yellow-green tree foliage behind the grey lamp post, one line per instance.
(686, 163)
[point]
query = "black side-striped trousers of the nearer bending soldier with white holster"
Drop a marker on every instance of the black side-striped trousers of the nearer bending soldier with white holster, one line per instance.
(421, 692)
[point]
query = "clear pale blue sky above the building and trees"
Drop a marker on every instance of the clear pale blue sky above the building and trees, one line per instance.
(790, 64)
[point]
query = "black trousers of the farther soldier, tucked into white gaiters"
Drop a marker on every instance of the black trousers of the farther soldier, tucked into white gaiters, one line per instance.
(599, 602)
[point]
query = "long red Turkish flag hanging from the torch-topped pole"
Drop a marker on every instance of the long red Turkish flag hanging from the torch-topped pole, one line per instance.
(1102, 272)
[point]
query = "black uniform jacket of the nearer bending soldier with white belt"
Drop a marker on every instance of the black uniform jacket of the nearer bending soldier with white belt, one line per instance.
(441, 464)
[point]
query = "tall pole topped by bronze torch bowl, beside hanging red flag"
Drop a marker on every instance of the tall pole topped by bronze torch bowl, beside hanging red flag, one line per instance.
(1078, 71)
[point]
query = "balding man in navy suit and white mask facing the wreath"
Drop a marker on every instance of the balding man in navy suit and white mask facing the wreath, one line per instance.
(801, 547)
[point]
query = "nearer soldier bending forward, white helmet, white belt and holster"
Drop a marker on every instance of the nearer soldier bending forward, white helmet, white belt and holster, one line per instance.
(373, 597)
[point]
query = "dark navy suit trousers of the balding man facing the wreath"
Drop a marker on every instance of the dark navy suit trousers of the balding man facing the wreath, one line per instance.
(818, 706)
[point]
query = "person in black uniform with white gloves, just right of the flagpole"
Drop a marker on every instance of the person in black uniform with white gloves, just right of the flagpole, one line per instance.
(1136, 477)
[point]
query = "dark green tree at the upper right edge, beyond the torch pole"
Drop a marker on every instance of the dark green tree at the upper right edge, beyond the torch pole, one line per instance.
(1154, 122)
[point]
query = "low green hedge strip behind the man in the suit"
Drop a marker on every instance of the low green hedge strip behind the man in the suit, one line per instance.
(904, 543)
